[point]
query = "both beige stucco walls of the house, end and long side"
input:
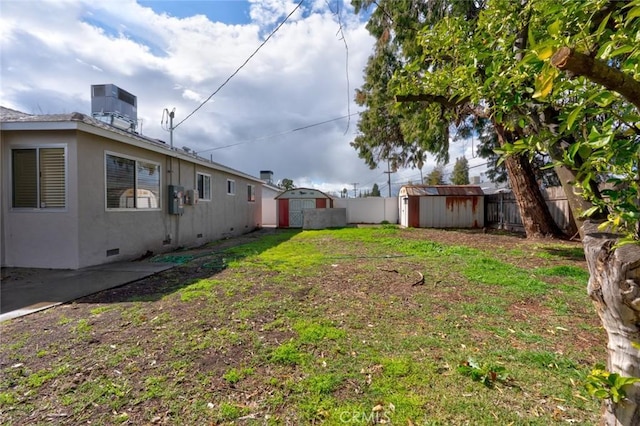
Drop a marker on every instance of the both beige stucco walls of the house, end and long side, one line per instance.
(85, 231)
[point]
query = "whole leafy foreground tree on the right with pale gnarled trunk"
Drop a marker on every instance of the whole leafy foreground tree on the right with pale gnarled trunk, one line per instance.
(563, 79)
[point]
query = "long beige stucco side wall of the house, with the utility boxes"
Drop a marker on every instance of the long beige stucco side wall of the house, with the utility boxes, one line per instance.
(135, 232)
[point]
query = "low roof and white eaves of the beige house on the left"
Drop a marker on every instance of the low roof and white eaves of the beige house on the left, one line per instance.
(19, 121)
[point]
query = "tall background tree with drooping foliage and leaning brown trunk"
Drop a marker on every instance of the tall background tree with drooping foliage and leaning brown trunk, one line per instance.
(422, 123)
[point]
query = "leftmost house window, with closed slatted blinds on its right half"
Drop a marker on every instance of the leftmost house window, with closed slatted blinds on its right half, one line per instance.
(39, 178)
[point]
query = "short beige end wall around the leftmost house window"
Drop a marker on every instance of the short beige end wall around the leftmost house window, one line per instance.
(40, 238)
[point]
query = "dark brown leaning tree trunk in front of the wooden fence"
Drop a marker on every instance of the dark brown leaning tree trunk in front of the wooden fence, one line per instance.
(536, 218)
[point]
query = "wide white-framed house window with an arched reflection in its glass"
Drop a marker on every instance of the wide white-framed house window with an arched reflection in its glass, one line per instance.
(132, 184)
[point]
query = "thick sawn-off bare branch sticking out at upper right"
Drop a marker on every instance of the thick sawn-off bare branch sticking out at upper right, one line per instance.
(566, 59)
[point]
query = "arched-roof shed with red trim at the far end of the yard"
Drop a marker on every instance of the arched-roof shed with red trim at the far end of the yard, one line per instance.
(292, 203)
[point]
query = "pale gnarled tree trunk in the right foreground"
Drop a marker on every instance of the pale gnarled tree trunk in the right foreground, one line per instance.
(614, 287)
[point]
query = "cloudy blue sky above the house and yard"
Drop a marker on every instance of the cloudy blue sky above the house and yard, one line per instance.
(176, 54)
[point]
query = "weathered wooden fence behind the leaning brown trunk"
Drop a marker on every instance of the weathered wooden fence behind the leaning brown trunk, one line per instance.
(501, 210)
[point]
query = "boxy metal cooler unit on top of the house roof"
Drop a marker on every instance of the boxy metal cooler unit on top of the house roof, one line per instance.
(114, 106)
